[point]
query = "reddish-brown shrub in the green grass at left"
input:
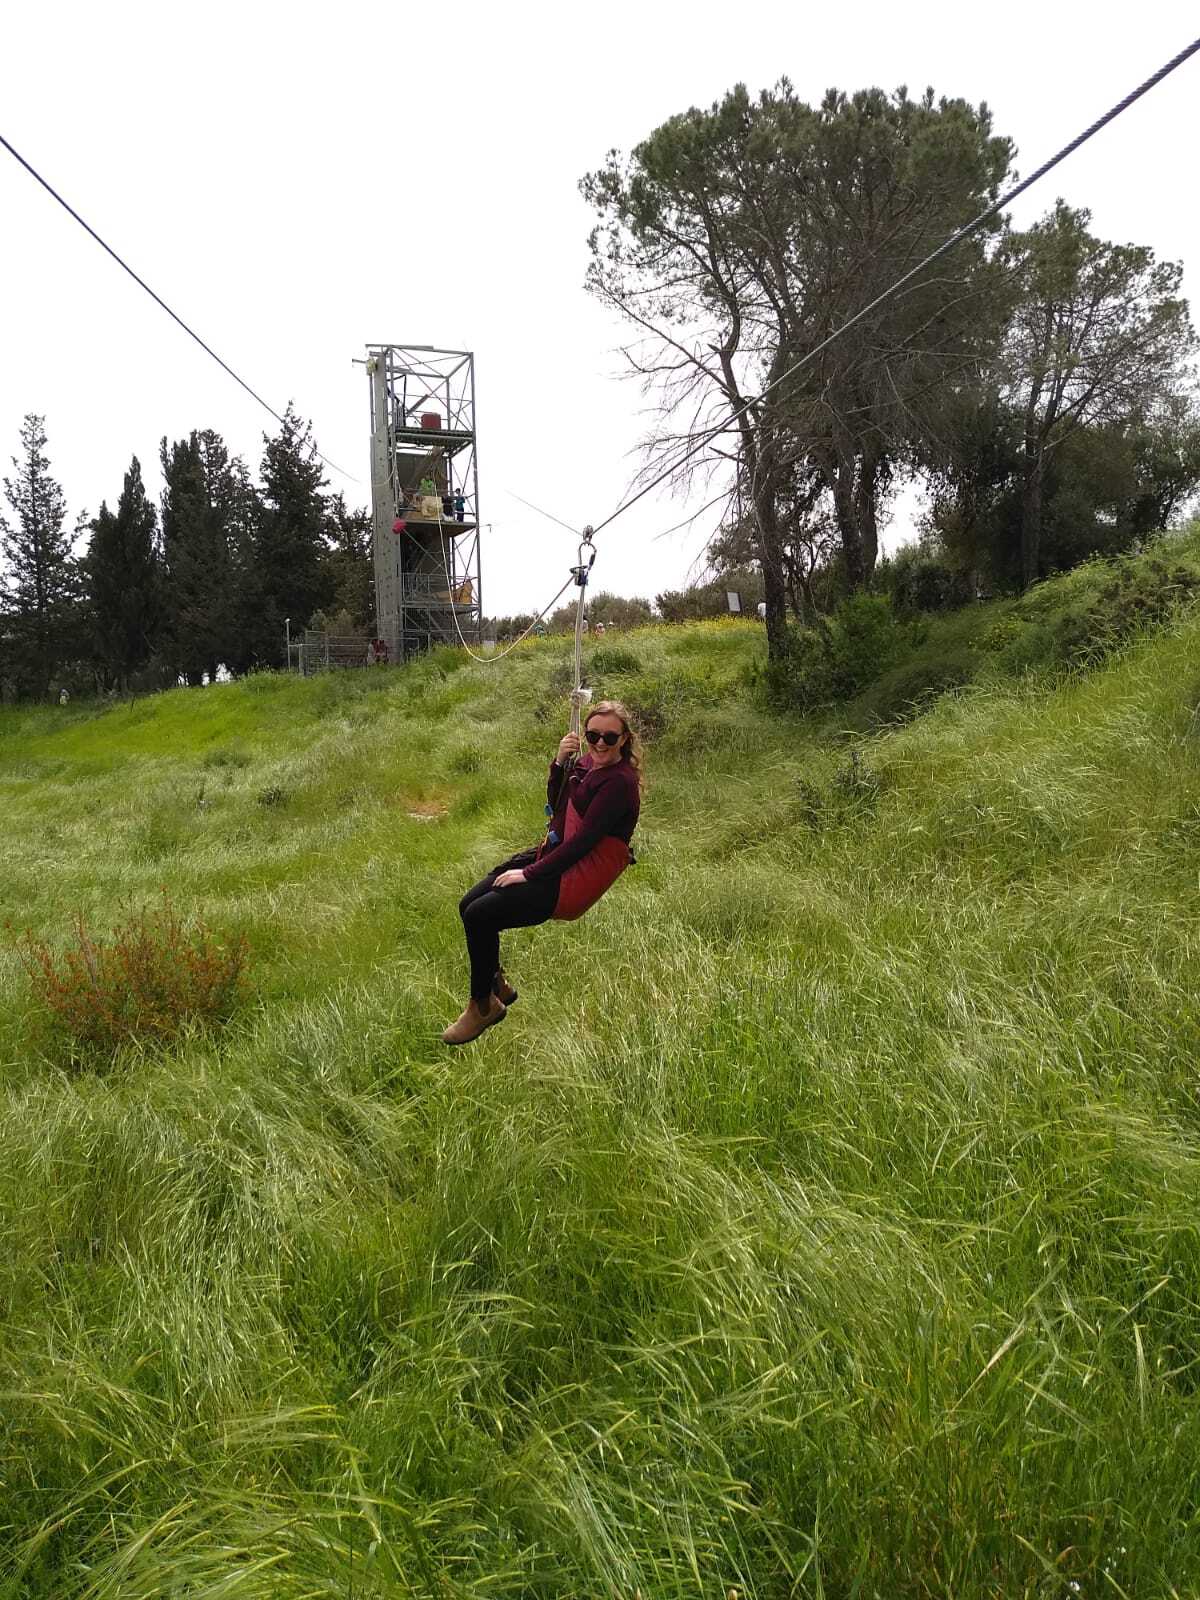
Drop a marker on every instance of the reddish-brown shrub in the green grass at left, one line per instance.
(150, 982)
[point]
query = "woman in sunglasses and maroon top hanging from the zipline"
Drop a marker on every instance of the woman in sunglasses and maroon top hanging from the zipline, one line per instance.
(594, 804)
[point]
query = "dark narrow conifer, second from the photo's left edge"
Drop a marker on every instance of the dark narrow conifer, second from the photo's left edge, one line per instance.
(124, 582)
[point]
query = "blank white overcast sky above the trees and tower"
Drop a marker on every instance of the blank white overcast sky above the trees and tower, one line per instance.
(298, 182)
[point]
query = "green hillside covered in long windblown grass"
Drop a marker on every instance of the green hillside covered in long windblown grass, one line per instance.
(822, 1223)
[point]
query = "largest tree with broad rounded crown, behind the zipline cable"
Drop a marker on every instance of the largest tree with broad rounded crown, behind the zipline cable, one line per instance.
(735, 241)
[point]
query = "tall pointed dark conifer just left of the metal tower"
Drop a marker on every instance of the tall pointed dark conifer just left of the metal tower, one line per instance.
(292, 553)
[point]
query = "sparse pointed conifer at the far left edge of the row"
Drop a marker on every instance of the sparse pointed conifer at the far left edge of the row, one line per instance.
(42, 590)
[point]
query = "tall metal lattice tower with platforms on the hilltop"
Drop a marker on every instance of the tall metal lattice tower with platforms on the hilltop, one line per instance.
(425, 478)
